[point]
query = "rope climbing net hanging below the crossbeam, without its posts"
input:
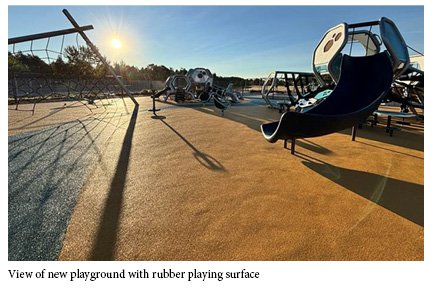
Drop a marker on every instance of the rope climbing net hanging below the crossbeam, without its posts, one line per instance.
(57, 67)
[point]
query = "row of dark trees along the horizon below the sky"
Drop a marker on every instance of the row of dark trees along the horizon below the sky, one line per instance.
(81, 62)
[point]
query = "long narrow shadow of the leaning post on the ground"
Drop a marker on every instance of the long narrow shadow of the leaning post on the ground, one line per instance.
(106, 236)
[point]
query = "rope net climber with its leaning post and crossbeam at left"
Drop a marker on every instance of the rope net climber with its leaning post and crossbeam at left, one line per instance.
(36, 86)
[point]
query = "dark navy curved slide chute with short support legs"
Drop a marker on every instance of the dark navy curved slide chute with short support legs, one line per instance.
(350, 103)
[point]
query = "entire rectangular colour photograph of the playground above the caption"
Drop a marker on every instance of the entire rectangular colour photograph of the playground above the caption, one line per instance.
(163, 138)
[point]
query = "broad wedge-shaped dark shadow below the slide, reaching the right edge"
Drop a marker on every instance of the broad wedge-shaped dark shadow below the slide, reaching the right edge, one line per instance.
(403, 198)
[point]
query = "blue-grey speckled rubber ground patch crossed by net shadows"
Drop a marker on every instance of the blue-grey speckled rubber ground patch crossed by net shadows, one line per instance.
(47, 170)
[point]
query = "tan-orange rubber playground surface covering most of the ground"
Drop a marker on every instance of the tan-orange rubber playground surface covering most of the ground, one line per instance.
(193, 185)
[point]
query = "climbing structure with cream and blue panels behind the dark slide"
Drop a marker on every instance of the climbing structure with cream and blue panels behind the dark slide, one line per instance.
(344, 38)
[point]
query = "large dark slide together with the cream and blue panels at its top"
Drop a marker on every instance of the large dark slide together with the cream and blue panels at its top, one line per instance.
(352, 101)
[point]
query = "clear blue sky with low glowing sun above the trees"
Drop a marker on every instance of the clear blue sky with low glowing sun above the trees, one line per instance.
(246, 41)
